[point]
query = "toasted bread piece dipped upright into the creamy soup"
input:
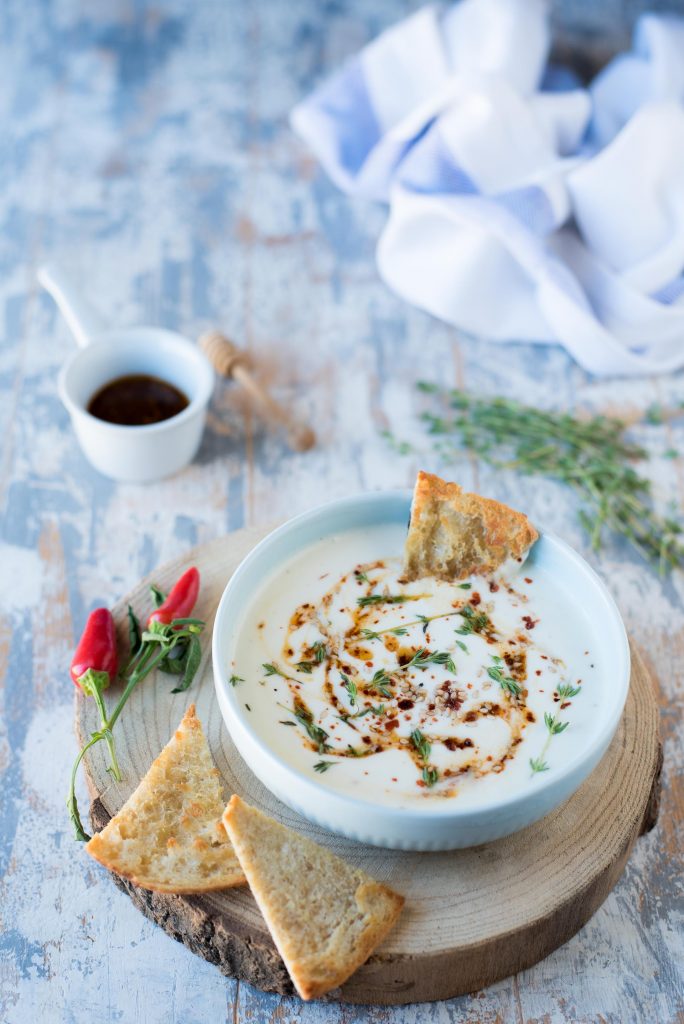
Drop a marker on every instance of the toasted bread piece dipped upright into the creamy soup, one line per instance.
(454, 535)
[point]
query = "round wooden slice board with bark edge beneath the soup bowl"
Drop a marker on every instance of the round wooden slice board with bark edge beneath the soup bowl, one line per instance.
(472, 917)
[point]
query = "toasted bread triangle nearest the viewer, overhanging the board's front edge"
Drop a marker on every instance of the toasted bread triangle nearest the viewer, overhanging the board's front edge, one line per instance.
(326, 917)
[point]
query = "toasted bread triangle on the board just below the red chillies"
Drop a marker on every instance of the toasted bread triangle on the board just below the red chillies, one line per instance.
(169, 836)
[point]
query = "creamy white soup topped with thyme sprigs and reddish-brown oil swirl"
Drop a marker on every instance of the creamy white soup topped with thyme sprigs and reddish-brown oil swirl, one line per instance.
(406, 693)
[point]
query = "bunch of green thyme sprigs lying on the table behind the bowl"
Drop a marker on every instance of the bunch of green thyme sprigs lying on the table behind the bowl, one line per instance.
(592, 456)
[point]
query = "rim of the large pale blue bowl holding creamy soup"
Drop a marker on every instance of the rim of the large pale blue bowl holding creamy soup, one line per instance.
(440, 810)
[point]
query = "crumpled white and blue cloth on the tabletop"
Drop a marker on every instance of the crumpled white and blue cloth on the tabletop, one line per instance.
(522, 205)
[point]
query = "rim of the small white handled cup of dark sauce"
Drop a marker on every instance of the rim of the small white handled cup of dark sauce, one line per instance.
(198, 403)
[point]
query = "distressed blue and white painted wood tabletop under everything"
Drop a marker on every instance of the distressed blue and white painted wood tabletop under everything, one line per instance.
(146, 147)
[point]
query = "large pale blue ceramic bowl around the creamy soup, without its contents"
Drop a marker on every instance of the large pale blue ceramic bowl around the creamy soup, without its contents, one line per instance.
(443, 826)
